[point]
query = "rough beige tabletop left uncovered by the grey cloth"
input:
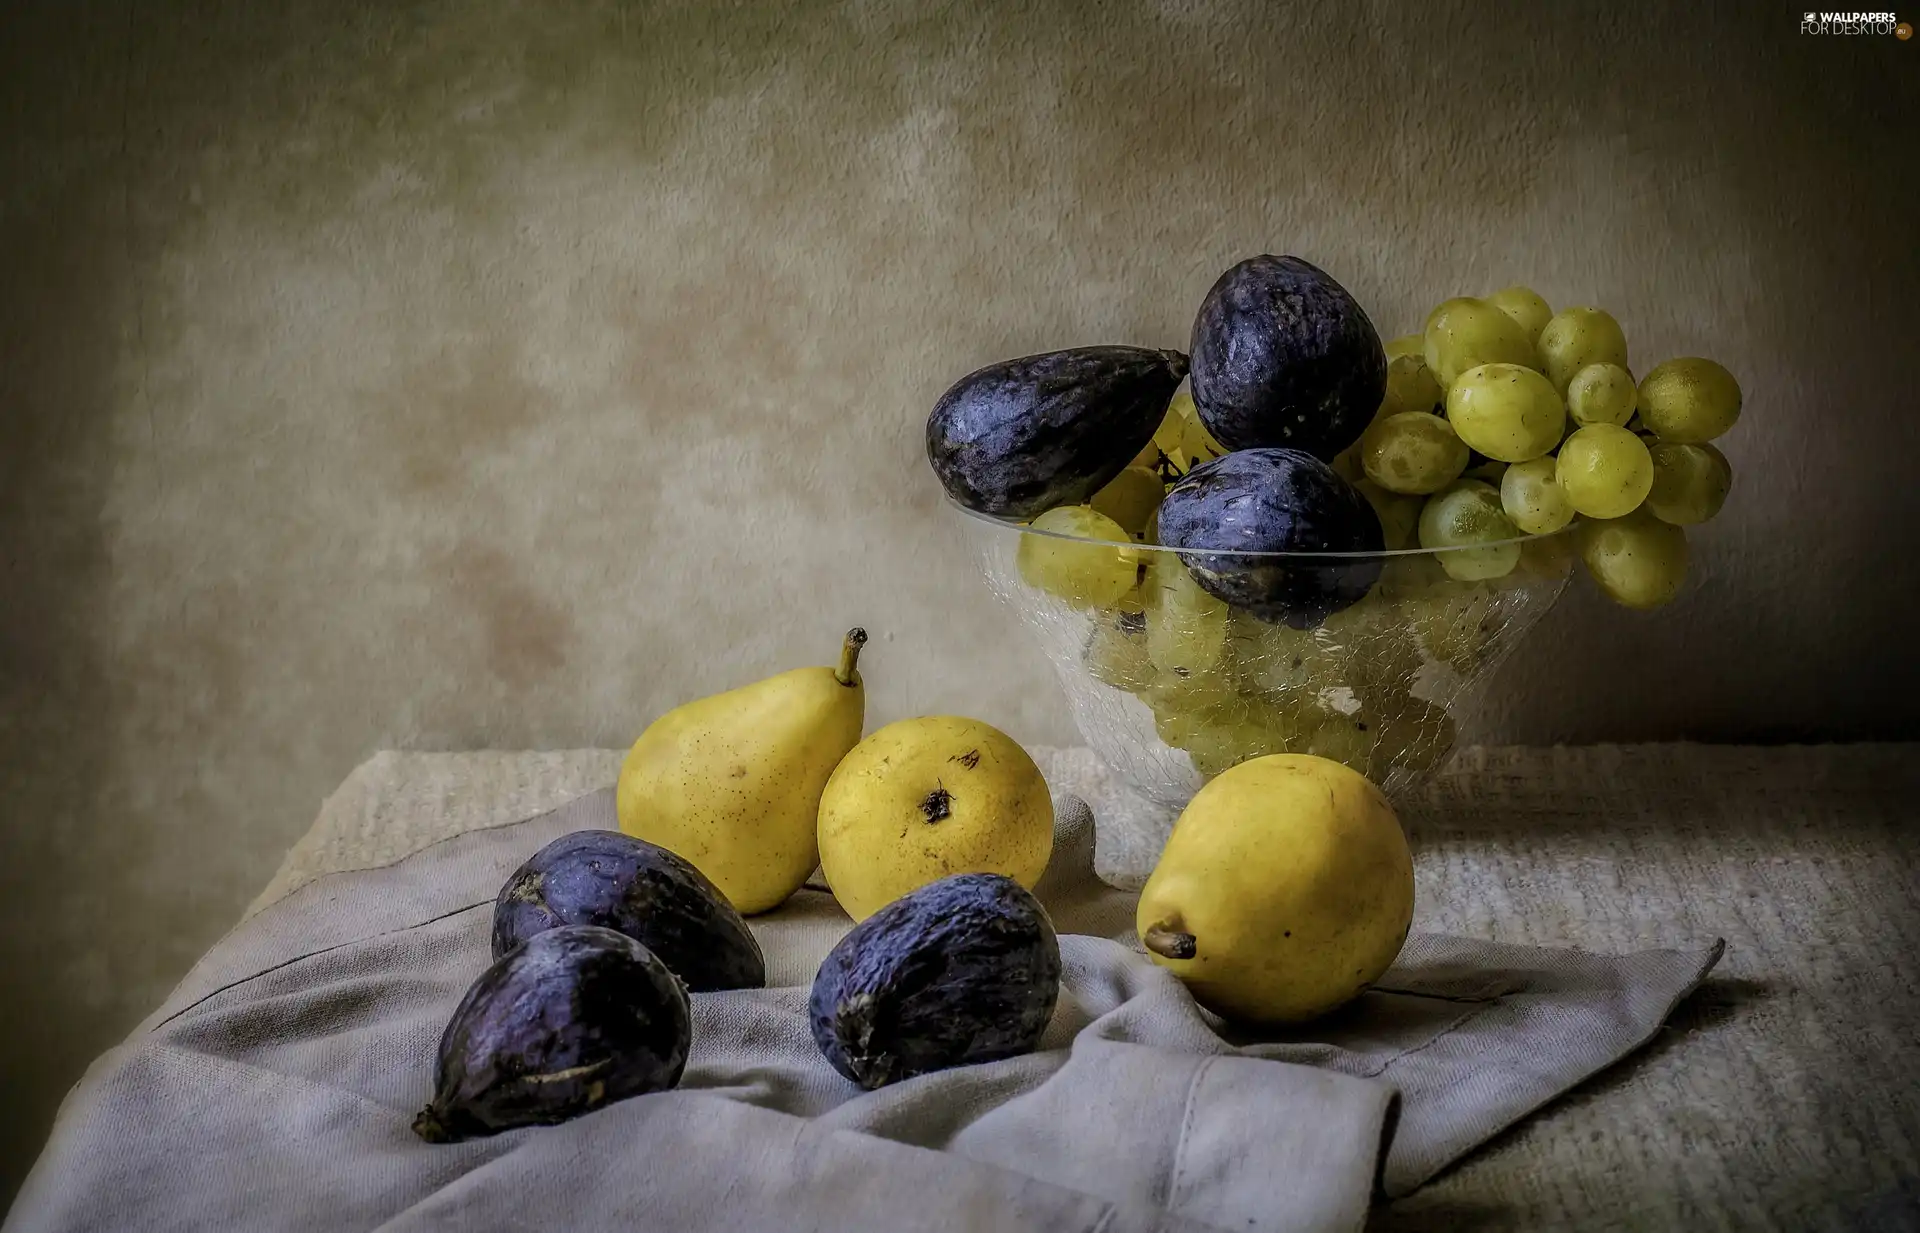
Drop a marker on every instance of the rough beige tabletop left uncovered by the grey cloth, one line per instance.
(1785, 1096)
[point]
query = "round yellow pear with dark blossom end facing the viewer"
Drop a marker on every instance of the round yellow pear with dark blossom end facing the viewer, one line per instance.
(928, 798)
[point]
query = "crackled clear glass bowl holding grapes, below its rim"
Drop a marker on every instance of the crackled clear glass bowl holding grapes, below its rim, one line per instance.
(1170, 687)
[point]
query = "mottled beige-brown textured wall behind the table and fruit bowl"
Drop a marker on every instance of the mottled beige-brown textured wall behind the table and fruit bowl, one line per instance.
(489, 374)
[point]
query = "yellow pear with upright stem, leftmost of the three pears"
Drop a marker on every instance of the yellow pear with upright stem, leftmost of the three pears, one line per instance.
(732, 783)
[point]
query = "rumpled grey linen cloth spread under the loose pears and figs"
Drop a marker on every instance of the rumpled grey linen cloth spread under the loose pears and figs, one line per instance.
(276, 1088)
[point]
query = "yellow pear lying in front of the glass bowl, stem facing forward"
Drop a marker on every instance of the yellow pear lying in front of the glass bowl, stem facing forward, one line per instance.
(1284, 892)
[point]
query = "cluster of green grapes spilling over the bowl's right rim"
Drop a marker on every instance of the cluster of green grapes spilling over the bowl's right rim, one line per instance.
(1547, 423)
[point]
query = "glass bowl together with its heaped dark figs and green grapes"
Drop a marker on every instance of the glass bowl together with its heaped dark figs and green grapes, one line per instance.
(1299, 539)
